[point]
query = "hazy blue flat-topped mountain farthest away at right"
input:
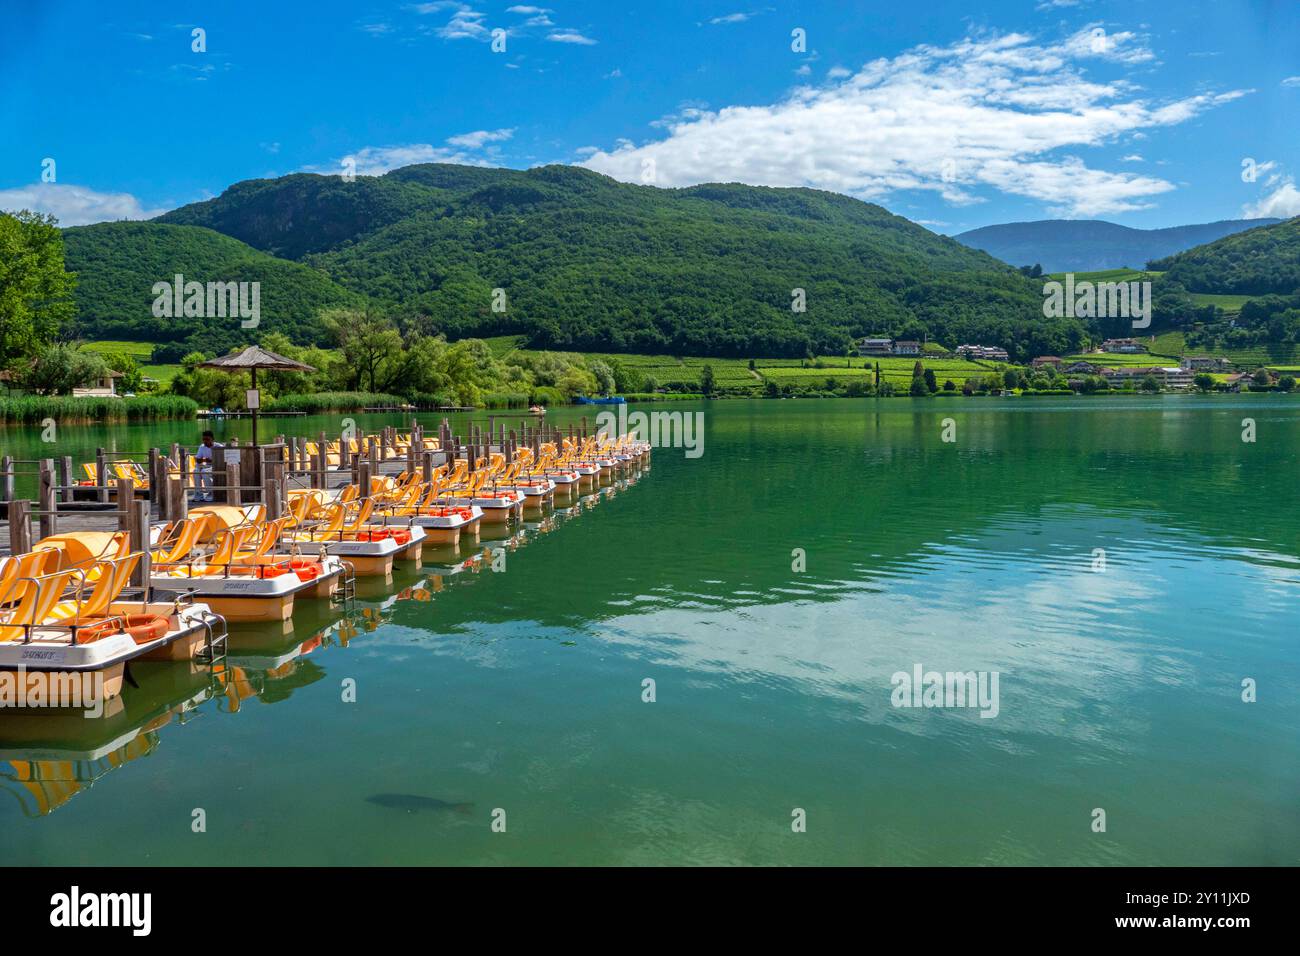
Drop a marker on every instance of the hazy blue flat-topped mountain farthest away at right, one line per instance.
(1063, 245)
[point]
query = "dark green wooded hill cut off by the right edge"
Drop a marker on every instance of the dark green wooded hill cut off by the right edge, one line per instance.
(1260, 262)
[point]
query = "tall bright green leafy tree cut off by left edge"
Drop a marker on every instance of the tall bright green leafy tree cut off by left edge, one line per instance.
(36, 289)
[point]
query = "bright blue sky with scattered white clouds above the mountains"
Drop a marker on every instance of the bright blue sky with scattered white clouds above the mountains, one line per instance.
(1141, 113)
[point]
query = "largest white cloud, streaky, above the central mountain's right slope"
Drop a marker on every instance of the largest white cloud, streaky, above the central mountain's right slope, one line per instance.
(986, 113)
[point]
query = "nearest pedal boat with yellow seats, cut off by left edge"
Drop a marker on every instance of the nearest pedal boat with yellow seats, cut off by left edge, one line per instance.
(58, 628)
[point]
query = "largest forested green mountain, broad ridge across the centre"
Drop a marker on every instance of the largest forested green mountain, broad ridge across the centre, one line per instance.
(591, 263)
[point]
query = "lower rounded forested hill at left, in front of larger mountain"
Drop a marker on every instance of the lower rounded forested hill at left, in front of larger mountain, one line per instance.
(118, 265)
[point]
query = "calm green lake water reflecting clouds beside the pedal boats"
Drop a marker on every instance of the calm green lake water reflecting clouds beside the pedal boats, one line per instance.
(522, 690)
